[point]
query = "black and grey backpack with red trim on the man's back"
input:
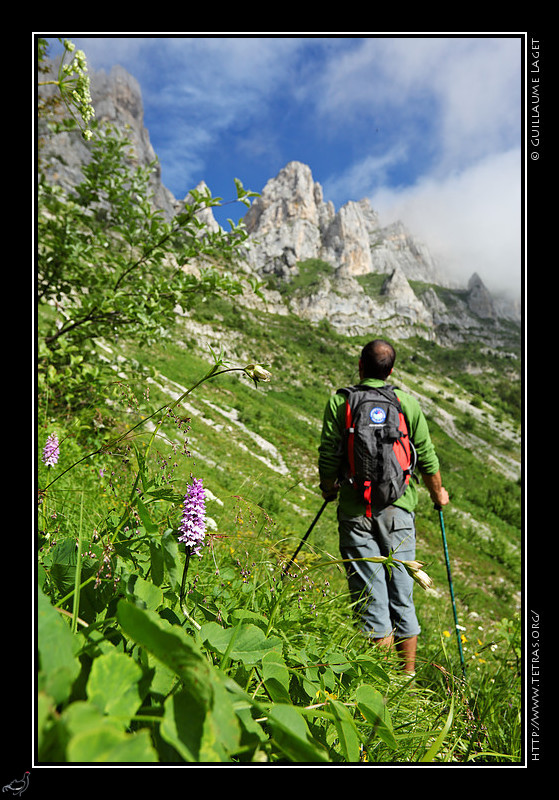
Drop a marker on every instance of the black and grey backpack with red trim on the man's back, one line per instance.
(379, 457)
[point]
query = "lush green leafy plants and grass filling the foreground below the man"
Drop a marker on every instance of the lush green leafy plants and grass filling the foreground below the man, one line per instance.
(148, 654)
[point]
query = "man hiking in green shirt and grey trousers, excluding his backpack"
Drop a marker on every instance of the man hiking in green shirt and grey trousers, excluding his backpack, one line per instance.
(384, 603)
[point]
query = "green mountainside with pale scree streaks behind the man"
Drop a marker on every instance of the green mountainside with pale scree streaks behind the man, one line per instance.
(261, 444)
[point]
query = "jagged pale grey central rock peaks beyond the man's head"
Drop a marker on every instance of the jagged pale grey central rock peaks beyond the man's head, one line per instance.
(365, 285)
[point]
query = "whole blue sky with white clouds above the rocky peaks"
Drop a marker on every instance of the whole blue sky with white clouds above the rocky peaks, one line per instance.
(427, 127)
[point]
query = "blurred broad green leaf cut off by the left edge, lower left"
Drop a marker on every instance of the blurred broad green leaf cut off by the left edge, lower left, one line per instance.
(59, 667)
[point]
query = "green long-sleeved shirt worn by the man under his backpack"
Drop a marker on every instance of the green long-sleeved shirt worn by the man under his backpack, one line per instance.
(330, 456)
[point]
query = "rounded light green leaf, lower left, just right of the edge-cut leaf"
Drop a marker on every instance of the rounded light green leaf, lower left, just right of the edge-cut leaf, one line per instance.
(113, 685)
